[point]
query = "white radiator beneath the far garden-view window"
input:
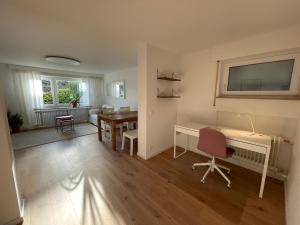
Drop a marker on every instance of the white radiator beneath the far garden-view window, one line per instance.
(46, 117)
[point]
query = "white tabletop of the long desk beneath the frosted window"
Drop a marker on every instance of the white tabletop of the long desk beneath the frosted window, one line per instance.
(230, 133)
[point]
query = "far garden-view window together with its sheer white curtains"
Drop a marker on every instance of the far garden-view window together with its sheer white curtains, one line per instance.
(33, 90)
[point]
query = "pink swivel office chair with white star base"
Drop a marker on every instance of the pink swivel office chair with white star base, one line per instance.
(213, 142)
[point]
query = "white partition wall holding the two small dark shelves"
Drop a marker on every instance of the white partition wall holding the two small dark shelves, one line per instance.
(158, 116)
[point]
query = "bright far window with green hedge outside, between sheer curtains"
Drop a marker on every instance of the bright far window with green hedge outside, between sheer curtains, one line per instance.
(63, 91)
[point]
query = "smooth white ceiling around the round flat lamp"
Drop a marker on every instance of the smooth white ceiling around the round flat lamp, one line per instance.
(104, 34)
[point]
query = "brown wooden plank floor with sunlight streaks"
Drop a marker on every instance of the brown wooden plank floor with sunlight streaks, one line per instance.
(82, 181)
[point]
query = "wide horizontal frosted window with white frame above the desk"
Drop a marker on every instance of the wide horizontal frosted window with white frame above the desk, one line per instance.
(275, 75)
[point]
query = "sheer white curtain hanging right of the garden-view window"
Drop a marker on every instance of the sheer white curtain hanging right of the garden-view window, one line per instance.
(95, 91)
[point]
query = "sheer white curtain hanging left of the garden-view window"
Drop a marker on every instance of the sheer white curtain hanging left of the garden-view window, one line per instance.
(28, 92)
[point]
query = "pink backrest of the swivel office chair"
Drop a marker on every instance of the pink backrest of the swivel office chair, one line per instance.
(212, 142)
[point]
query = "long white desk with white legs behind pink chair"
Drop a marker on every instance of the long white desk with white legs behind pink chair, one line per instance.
(235, 138)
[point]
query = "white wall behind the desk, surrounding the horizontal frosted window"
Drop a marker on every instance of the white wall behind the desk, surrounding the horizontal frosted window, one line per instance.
(277, 117)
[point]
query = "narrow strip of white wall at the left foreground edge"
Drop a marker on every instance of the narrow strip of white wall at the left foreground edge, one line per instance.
(9, 206)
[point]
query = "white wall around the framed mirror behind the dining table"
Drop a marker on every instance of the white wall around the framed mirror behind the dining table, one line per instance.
(130, 77)
